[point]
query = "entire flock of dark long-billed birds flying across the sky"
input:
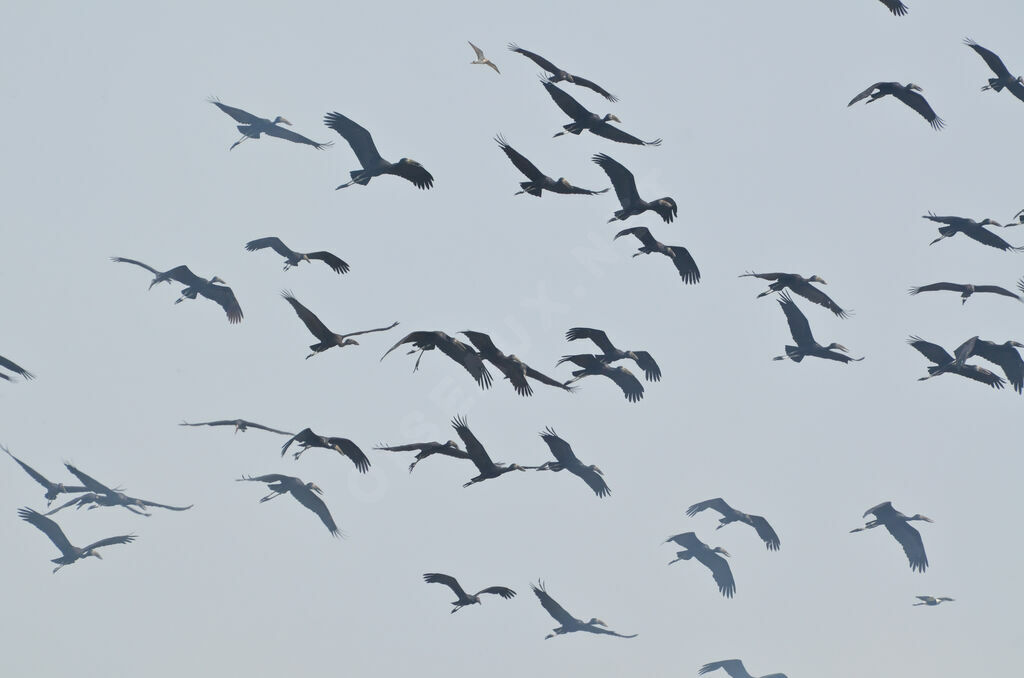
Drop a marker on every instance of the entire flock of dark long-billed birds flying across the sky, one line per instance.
(481, 352)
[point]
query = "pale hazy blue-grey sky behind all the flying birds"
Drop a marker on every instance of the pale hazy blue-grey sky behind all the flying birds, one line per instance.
(110, 149)
